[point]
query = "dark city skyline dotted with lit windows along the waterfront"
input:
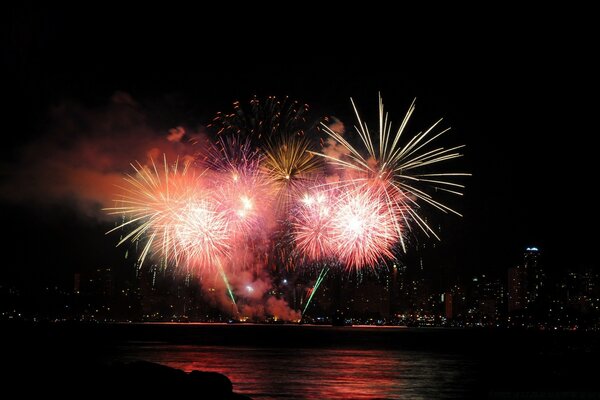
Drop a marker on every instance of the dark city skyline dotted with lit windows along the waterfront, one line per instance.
(526, 298)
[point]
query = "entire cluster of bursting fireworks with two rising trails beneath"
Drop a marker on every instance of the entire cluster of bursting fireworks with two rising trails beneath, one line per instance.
(263, 197)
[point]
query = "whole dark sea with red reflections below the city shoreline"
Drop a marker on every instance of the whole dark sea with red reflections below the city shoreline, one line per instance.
(290, 361)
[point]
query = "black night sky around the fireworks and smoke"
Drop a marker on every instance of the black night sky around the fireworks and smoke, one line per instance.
(520, 94)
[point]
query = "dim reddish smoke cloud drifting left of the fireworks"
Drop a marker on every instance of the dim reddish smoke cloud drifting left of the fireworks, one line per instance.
(86, 152)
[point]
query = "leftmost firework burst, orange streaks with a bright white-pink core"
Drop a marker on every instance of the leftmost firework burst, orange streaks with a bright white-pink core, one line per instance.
(168, 211)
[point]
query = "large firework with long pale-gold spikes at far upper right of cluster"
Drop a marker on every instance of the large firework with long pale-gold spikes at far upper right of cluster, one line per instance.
(397, 168)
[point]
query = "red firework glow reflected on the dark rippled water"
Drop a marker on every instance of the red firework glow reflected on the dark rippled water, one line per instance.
(305, 373)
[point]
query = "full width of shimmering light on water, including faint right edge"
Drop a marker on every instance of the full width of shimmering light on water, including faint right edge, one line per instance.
(321, 373)
